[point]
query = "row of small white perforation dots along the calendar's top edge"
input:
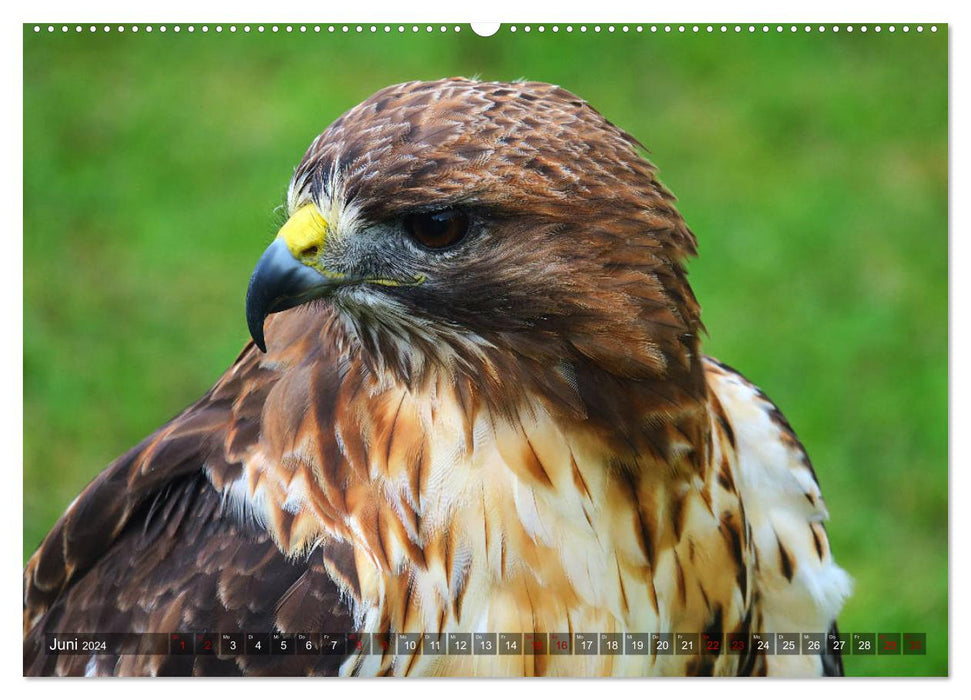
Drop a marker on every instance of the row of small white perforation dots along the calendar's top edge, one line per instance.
(427, 28)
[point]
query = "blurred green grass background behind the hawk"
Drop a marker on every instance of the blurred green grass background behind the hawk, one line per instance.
(813, 169)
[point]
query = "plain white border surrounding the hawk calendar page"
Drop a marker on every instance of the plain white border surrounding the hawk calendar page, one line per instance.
(603, 11)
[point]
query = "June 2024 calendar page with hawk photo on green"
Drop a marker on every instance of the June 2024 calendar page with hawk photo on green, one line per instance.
(438, 349)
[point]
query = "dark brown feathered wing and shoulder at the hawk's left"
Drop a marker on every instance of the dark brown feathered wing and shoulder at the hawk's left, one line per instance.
(152, 545)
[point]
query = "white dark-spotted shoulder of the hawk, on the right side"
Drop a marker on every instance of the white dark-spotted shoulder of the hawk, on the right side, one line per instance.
(799, 586)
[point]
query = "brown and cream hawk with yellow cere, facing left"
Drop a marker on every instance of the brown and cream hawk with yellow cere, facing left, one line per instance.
(475, 402)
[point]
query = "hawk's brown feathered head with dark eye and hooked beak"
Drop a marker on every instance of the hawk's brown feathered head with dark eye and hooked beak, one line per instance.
(504, 232)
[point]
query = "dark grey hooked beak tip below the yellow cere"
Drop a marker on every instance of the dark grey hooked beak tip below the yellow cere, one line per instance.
(279, 282)
